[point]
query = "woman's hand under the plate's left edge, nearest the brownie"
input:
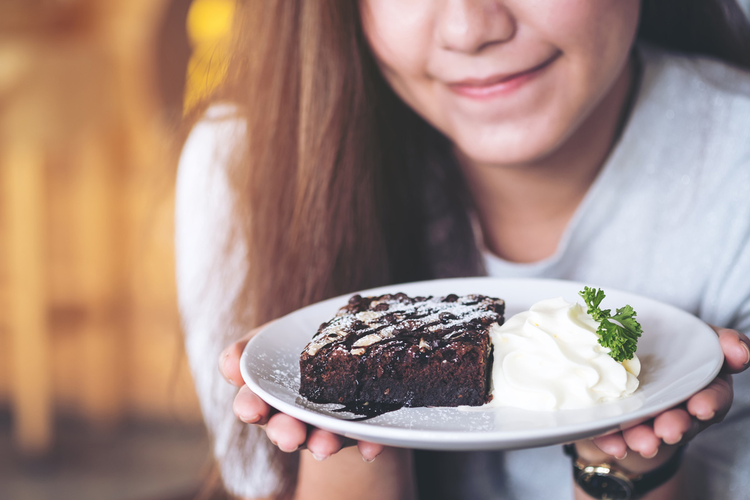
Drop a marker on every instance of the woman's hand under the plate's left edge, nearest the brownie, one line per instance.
(286, 432)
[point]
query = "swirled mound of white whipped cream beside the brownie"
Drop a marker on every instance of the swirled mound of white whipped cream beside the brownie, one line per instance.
(549, 358)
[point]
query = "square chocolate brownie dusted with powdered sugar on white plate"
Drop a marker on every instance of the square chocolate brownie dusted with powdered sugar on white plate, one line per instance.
(421, 351)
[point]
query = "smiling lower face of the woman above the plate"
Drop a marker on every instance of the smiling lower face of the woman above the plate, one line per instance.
(508, 81)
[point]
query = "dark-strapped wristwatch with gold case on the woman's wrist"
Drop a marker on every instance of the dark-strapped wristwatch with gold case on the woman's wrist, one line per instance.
(607, 481)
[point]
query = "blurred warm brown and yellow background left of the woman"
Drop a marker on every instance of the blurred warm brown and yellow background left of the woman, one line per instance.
(96, 401)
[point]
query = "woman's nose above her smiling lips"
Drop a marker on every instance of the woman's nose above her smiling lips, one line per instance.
(471, 25)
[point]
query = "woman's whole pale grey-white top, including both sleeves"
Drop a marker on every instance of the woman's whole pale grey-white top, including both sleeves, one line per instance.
(668, 217)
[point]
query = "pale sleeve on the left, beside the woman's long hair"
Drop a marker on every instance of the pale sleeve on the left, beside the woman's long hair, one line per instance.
(210, 271)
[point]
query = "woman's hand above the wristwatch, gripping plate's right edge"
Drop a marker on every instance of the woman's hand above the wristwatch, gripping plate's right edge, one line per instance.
(682, 423)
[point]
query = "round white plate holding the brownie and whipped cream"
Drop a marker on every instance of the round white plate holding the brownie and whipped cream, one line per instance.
(680, 355)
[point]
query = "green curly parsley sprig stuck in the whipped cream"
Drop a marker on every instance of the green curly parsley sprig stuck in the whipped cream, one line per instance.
(620, 335)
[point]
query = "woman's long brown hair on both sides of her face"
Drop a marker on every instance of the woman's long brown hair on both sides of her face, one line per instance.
(341, 186)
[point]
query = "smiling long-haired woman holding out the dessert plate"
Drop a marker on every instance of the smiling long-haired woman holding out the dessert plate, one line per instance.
(384, 141)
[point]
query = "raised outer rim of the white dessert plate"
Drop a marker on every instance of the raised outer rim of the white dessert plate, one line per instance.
(457, 440)
